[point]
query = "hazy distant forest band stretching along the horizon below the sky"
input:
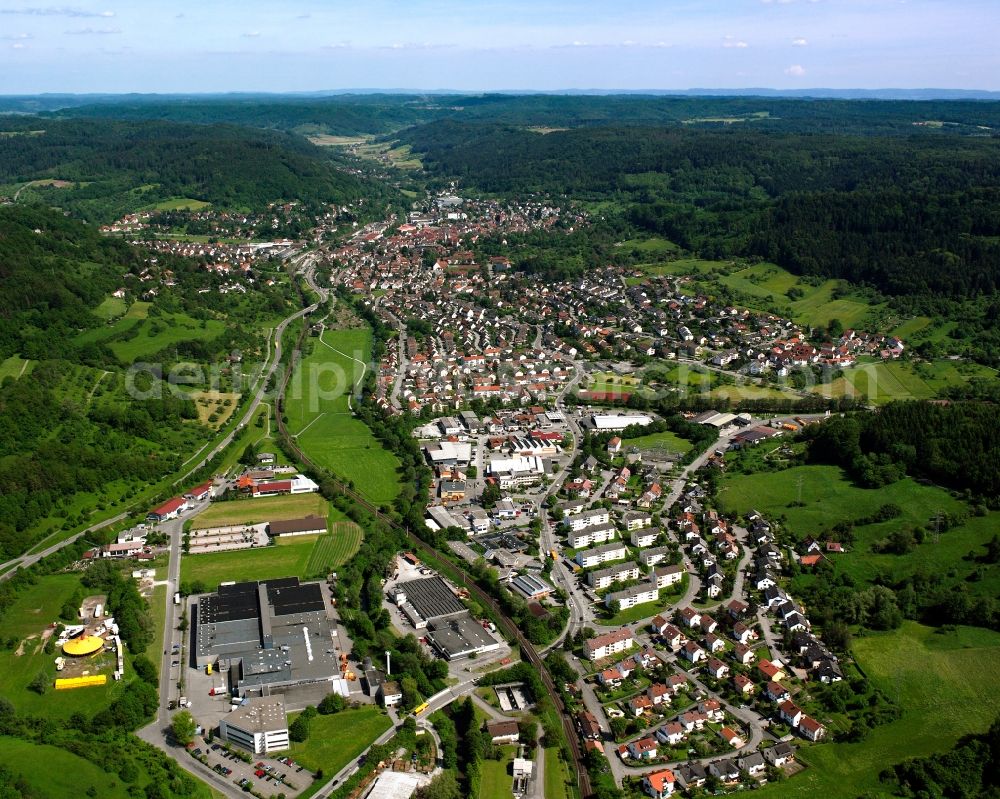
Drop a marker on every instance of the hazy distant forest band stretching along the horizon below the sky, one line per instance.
(350, 114)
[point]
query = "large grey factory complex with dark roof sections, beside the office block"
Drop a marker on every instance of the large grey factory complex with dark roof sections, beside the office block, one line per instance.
(268, 635)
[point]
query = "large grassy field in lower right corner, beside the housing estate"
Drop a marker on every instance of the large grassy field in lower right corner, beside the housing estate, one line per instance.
(945, 686)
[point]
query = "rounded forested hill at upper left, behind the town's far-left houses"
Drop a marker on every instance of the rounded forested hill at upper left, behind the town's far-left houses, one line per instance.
(119, 166)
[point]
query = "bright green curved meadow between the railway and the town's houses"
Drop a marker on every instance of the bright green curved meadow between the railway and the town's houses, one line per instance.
(317, 407)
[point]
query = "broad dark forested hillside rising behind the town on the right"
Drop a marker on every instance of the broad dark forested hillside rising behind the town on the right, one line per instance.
(908, 215)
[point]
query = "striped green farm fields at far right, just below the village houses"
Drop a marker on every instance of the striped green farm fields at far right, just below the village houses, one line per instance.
(894, 380)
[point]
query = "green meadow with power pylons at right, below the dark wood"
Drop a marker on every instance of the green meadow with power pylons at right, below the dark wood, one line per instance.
(829, 497)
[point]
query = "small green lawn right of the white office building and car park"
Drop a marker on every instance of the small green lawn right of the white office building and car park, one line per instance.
(336, 740)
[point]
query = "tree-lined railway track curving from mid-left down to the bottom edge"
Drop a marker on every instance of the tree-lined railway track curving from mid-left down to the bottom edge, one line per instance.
(506, 623)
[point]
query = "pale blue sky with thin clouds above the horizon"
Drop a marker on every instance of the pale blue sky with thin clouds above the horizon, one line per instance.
(305, 45)
